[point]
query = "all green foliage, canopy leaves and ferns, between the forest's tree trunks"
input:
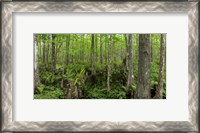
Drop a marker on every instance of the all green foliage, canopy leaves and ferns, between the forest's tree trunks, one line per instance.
(78, 72)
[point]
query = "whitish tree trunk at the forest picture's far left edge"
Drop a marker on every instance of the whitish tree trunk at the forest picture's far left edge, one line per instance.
(36, 70)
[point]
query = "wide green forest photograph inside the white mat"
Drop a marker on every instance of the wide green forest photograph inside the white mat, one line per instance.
(99, 66)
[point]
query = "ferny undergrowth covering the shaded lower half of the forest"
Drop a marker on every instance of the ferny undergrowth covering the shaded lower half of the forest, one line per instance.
(85, 85)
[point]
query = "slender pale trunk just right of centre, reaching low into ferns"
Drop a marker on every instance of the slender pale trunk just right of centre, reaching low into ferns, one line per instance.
(109, 65)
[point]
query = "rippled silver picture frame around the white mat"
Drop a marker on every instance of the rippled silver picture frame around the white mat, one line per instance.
(191, 7)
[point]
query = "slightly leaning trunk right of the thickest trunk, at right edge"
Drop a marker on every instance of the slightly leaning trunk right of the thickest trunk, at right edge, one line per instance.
(159, 90)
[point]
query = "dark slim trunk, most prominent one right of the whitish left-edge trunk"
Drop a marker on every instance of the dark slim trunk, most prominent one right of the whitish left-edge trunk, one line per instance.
(53, 53)
